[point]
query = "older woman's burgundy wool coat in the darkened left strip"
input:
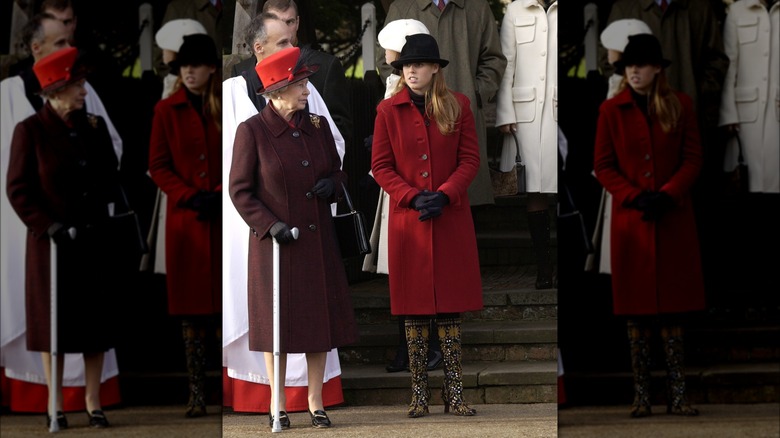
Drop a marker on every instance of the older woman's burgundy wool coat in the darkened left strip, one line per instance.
(67, 174)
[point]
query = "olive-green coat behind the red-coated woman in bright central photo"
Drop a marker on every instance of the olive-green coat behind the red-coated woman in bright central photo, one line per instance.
(467, 34)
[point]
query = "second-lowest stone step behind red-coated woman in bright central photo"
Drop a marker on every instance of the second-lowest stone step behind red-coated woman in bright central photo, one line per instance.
(482, 340)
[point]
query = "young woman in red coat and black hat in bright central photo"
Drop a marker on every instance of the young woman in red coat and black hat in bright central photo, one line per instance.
(424, 155)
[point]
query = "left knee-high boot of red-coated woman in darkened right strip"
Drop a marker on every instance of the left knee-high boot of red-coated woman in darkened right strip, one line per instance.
(639, 341)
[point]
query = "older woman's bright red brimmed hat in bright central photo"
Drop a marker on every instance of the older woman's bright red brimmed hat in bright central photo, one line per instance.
(282, 69)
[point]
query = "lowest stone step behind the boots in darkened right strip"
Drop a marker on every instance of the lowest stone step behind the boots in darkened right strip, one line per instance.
(720, 383)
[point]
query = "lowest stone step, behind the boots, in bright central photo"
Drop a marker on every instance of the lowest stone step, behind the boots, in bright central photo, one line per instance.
(483, 383)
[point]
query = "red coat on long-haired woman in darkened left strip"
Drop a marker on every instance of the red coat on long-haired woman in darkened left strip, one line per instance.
(185, 157)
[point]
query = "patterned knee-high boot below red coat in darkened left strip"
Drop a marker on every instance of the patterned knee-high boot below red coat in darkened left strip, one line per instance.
(195, 351)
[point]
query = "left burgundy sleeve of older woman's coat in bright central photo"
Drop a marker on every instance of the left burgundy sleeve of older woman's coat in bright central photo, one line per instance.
(244, 184)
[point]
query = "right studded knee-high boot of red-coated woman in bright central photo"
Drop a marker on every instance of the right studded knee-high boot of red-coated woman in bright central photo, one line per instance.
(452, 390)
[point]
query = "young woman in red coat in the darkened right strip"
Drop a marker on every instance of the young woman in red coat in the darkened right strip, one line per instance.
(647, 156)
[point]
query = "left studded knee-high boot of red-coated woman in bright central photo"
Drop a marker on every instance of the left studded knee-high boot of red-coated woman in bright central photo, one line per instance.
(417, 344)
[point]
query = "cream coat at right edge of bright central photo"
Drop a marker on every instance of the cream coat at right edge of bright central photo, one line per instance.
(528, 95)
